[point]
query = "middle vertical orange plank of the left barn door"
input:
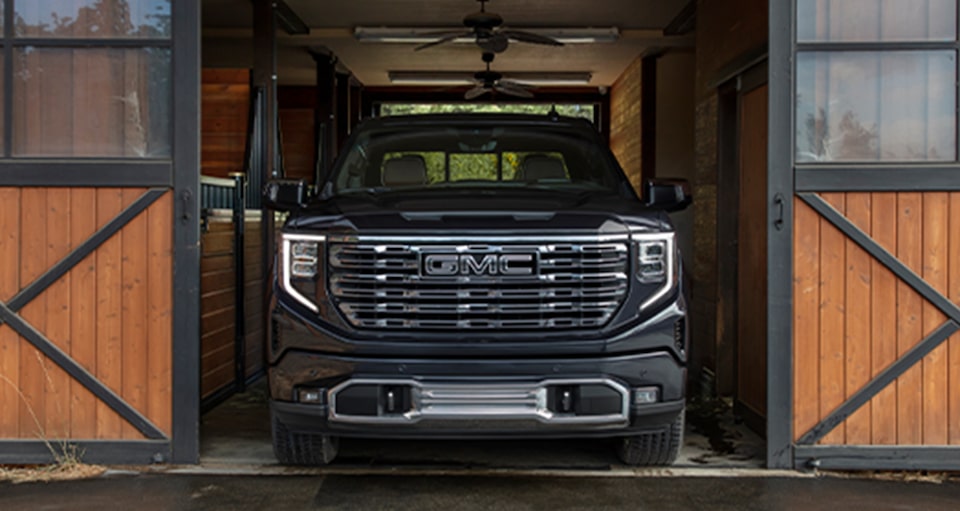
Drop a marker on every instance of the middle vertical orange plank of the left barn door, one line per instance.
(83, 300)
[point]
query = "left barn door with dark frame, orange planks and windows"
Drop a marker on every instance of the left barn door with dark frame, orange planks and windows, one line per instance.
(99, 230)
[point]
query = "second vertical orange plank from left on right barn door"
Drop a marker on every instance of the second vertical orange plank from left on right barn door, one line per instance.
(832, 318)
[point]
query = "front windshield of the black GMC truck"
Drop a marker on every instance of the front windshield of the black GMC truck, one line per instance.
(443, 158)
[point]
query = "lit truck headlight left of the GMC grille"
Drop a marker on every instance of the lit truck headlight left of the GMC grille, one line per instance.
(300, 267)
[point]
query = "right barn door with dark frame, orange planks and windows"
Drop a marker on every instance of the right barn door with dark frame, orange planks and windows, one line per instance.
(864, 238)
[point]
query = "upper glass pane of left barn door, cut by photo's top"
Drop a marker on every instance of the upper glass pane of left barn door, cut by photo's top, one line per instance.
(92, 18)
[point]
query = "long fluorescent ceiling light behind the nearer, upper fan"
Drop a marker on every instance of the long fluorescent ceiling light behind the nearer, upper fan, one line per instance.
(412, 35)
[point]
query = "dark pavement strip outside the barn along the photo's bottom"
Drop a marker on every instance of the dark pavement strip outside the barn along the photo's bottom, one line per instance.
(466, 493)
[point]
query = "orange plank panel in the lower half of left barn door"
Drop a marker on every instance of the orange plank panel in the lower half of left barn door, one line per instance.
(112, 313)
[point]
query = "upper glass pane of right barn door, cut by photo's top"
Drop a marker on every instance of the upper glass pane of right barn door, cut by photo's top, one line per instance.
(876, 20)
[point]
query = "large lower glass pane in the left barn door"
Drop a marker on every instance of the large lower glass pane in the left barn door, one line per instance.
(92, 102)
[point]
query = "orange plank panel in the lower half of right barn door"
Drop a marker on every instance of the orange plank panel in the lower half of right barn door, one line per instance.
(853, 318)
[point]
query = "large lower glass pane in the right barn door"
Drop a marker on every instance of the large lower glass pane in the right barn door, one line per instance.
(876, 106)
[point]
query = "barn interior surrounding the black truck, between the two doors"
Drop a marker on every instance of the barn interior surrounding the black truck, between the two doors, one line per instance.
(678, 88)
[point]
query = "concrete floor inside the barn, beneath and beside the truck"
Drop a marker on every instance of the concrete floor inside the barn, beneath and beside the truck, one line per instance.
(237, 433)
